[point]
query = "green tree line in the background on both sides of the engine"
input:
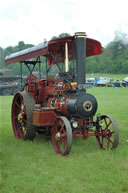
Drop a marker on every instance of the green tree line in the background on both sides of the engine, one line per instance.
(114, 57)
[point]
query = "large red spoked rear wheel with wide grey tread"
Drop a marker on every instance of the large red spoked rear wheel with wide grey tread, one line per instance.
(22, 106)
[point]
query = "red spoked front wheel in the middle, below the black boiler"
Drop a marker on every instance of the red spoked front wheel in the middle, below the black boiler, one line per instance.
(62, 136)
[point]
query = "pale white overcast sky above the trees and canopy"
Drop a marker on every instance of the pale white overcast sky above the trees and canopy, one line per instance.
(32, 21)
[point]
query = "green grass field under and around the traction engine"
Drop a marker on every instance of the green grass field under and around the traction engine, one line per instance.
(28, 167)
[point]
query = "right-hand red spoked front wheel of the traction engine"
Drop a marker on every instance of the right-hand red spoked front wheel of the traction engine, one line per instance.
(107, 133)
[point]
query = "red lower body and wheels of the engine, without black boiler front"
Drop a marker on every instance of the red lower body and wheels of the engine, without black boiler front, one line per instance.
(52, 118)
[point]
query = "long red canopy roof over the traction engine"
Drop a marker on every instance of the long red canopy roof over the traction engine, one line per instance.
(93, 47)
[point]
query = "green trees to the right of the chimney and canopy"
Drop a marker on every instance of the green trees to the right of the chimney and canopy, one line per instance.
(114, 58)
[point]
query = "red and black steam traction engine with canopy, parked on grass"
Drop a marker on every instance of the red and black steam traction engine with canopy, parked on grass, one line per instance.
(59, 105)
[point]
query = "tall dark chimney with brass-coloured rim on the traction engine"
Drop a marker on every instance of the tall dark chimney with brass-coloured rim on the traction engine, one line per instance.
(80, 50)
